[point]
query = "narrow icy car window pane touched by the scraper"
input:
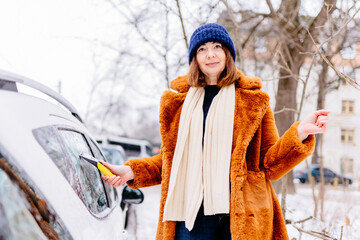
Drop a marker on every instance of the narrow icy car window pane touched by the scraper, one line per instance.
(89, 176)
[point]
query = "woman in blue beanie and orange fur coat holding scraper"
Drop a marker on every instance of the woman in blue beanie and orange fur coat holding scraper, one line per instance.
(220, 149)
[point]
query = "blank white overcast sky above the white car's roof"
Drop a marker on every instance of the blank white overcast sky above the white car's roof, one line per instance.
(48, 42)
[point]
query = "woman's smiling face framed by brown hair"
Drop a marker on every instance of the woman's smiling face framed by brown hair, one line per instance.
(211, 60)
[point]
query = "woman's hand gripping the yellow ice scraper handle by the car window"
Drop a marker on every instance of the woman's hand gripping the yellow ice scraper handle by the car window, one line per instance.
(122, 174)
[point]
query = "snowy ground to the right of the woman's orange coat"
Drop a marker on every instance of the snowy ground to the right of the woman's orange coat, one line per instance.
(341, 209)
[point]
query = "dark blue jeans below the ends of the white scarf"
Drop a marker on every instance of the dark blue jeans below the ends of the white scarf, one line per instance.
(213, 227)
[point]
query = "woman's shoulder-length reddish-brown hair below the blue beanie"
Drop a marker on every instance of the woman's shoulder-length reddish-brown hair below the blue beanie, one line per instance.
(196, 77)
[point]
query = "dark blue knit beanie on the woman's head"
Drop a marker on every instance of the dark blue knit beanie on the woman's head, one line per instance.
(211, 32)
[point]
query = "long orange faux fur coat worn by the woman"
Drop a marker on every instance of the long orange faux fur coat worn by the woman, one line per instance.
(258, 156)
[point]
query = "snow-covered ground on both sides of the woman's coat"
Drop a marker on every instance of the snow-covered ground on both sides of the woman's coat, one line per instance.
(341, 208)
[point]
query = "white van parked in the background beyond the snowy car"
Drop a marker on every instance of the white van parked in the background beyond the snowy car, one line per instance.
(134, 148)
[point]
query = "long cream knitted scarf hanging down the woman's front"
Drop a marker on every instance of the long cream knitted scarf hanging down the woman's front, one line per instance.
(201, 172)
